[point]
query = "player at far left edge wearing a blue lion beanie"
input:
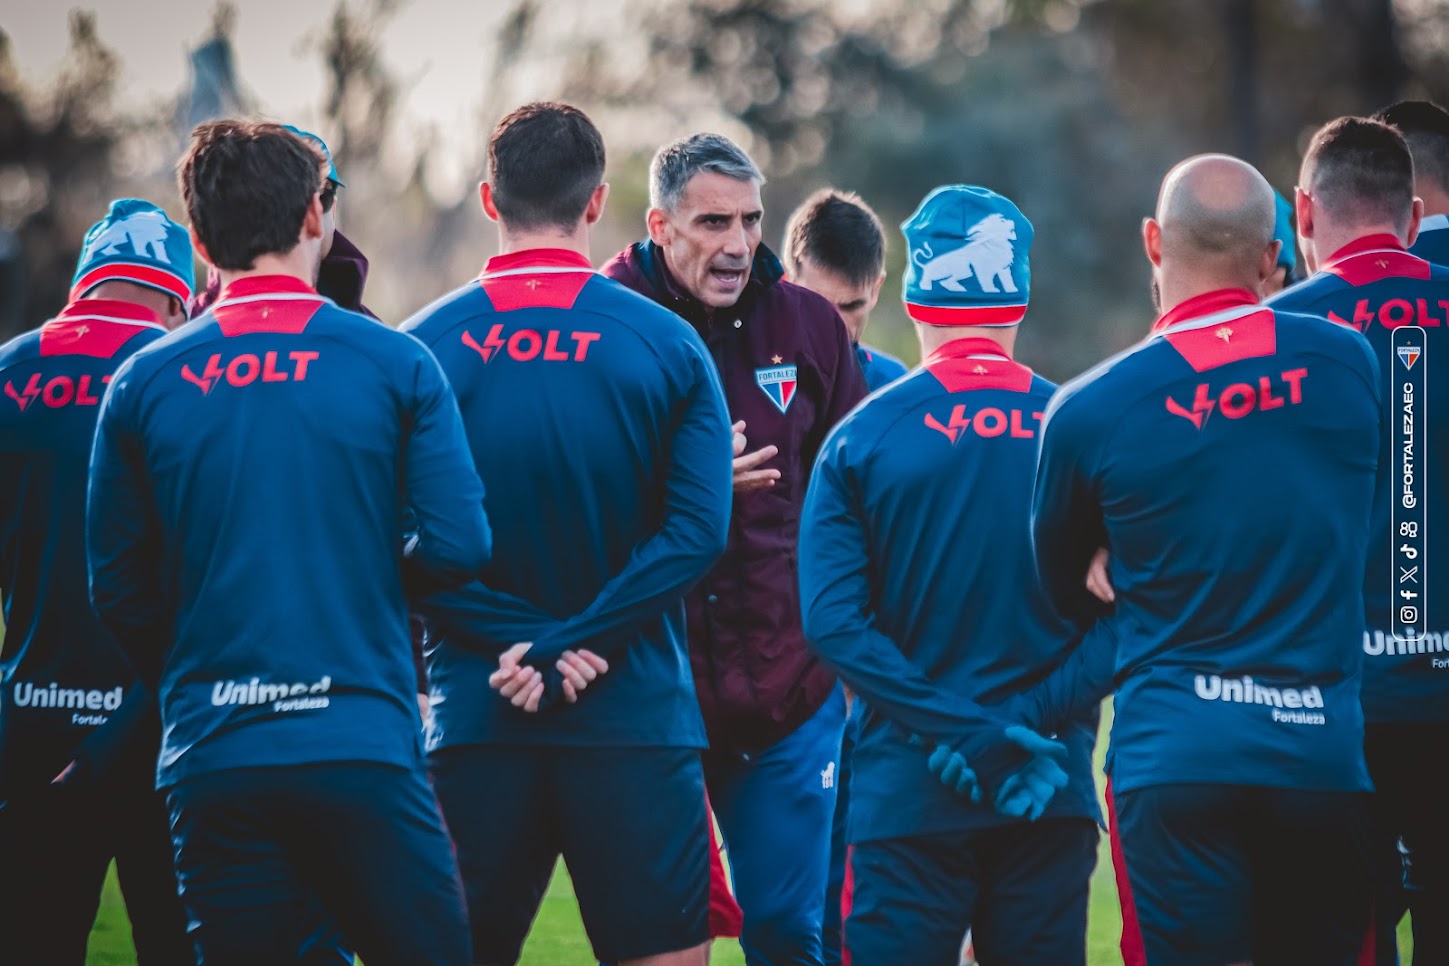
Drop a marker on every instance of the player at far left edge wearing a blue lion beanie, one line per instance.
(64, 677)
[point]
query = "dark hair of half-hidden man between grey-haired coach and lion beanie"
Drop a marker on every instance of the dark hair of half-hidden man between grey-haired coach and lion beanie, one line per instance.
(838, 232)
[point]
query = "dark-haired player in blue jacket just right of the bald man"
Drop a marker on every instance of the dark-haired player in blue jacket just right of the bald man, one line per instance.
(1357, 212)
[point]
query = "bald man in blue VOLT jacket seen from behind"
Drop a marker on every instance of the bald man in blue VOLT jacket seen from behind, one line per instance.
(1227, 463)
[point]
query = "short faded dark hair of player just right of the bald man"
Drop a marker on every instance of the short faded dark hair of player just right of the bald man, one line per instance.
(1361, 172)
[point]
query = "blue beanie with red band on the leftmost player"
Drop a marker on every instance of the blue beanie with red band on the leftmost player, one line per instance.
(138, 244)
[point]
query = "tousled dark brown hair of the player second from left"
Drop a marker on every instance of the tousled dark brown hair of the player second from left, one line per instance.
(247, 188)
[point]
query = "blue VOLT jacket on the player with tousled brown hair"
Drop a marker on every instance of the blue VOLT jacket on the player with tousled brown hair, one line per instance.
(250, 484)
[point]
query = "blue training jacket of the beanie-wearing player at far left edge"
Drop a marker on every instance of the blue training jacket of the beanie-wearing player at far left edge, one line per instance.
(63, 676)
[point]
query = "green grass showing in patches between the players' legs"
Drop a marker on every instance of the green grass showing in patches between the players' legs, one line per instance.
(559, 933)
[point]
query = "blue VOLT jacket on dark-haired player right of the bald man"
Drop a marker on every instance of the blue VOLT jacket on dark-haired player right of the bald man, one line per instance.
(1376, 287)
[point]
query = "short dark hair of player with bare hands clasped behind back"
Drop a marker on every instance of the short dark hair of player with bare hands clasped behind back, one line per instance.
(546, 161)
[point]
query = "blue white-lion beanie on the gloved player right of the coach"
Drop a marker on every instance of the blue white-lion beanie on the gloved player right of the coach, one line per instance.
(967, 259)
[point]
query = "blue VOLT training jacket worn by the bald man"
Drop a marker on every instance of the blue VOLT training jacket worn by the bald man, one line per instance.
(1228, 466)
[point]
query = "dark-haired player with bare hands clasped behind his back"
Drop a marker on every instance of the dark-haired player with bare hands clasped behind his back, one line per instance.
(602, 437)
